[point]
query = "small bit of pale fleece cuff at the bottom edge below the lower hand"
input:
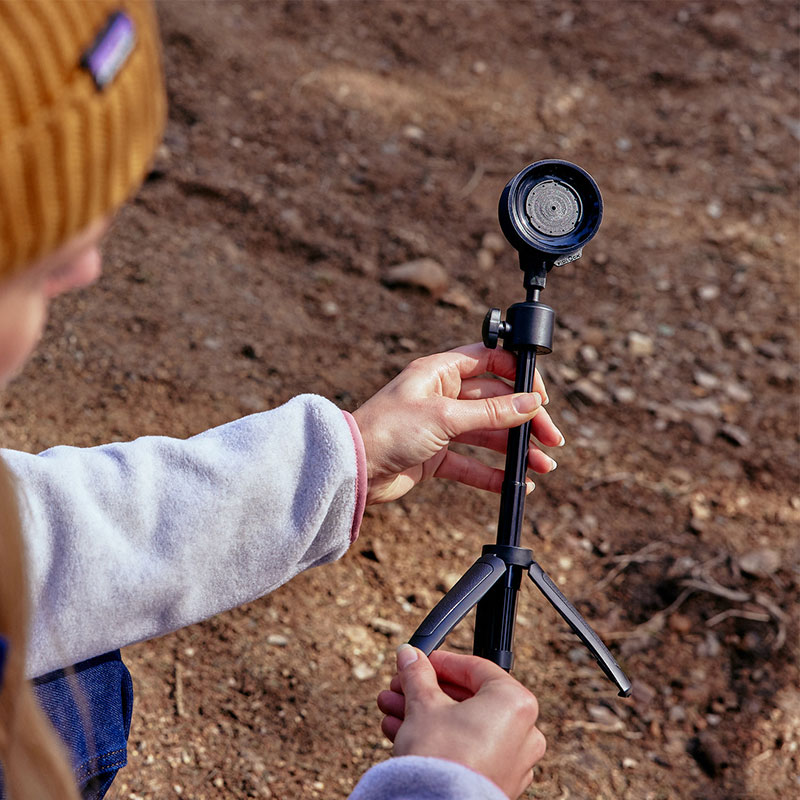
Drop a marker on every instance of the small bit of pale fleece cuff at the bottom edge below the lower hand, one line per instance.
(420, 778)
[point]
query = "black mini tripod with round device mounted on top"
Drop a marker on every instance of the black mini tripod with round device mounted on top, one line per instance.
(548, 212)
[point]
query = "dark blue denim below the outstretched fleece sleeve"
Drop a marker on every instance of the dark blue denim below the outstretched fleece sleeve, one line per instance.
(90, 706)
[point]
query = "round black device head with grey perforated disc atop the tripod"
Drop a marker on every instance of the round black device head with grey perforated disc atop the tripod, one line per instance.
(549, 211)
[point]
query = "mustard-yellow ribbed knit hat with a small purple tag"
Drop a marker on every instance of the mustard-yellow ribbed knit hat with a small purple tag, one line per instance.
(82, 110)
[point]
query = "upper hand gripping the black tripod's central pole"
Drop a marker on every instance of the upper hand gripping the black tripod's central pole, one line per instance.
(407, 426)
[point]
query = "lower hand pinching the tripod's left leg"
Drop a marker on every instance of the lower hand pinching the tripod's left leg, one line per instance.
(464, 709)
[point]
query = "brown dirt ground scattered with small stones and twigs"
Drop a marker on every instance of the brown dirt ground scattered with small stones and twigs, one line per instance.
(311, 147)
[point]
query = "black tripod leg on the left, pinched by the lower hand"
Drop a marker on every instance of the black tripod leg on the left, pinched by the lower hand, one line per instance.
(455, 605)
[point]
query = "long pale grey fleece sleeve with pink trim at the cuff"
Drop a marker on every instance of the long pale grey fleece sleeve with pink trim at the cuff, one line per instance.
(132, 540)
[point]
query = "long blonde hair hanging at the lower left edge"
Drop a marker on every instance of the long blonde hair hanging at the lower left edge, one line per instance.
(35, 764)
